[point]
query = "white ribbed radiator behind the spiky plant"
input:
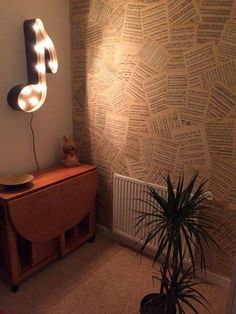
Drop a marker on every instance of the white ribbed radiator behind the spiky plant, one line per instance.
(126, 192)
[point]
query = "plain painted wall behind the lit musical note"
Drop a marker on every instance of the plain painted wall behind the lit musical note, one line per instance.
(54, 119)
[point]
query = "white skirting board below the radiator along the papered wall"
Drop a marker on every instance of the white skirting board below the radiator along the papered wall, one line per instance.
(211, 277)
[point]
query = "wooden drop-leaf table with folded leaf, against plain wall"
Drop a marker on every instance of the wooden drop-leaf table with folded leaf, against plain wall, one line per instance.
(45, 219)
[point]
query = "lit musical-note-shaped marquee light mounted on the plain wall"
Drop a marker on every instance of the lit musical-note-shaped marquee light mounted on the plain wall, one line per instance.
(41, 58)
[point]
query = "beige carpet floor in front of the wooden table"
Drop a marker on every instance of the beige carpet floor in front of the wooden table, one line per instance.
(98, 278)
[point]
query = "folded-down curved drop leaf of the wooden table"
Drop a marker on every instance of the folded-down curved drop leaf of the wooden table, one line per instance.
(45, 214)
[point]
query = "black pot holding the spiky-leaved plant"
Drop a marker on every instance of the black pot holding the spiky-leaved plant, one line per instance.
(153, 303)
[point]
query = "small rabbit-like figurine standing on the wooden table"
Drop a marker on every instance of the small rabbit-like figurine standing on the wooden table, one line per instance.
(70, 151)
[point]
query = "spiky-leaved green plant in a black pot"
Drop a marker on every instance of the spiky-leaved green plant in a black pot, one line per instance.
(179, 218)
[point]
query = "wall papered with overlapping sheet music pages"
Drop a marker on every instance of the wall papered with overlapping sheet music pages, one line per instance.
(154, 92)
